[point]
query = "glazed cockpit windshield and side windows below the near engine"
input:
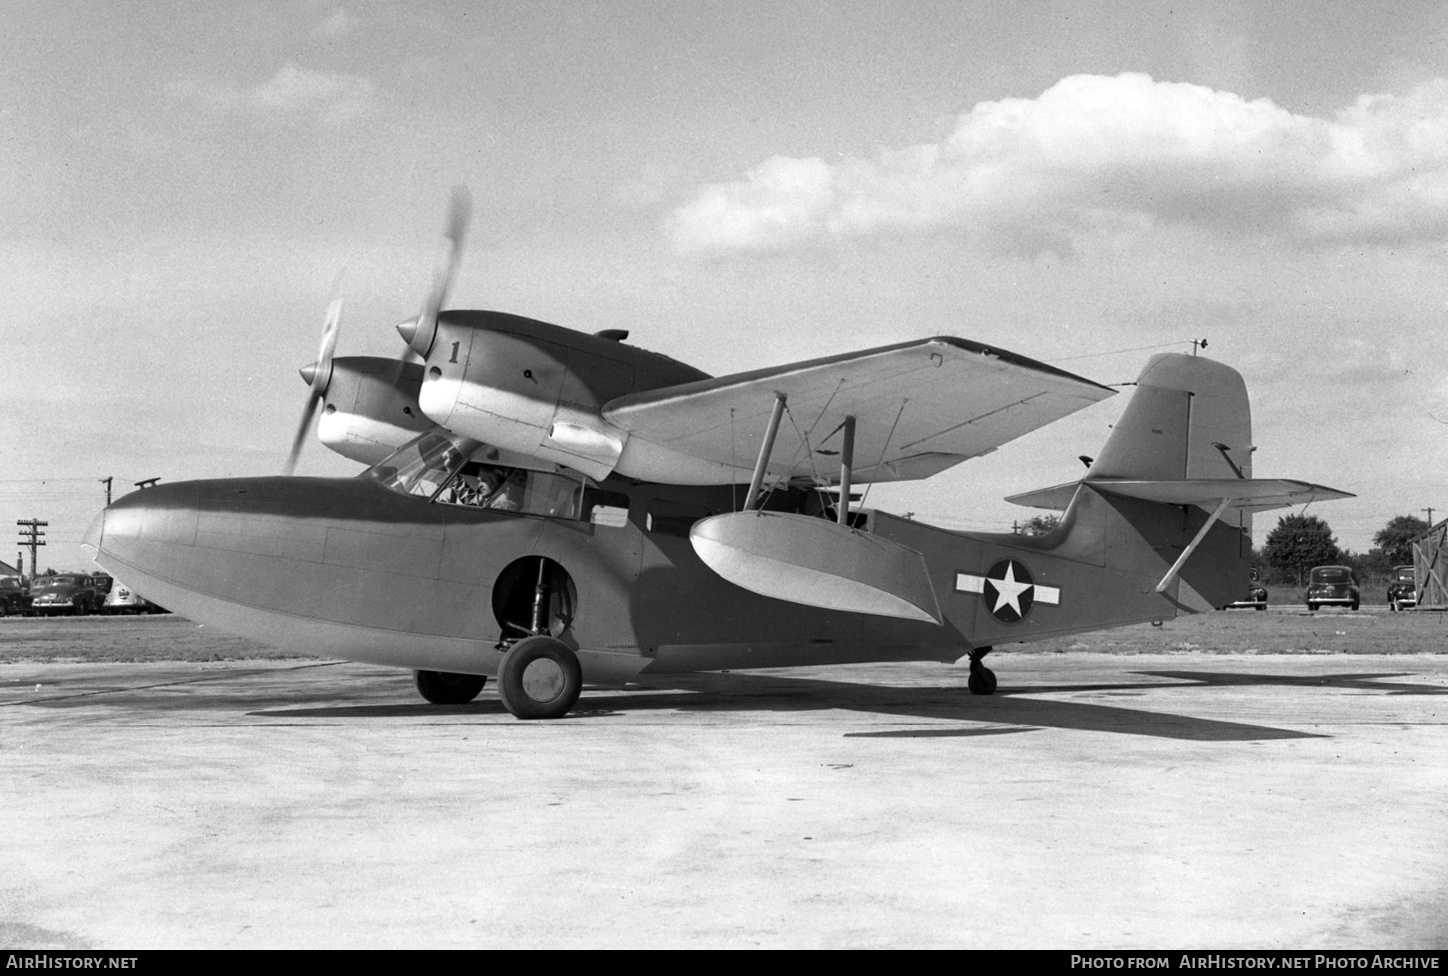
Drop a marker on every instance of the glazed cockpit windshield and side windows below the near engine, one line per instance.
(441, 467)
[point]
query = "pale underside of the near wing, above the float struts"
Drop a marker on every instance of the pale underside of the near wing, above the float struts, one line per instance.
(920, 408)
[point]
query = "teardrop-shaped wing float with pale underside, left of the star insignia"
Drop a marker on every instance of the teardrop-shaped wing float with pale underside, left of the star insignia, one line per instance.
(817, 563)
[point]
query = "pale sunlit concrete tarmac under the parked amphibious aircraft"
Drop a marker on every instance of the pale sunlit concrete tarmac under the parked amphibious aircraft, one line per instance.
(1095, 803)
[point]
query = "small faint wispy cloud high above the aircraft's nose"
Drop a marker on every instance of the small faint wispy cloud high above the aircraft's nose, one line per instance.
(292, 93)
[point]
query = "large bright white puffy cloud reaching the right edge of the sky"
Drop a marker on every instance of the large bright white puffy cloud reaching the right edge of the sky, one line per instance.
(1110, 156)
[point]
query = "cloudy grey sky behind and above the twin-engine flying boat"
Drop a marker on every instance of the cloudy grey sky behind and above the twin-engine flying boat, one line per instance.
(739, 185)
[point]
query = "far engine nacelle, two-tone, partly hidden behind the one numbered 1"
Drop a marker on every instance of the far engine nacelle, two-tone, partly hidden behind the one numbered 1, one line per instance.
(371, 408)
